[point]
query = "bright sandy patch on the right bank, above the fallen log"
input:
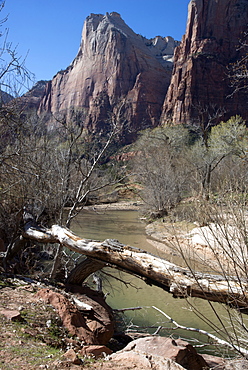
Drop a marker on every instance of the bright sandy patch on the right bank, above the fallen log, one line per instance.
(186, 246)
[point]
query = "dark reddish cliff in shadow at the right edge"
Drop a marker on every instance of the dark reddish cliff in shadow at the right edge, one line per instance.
(200, 76)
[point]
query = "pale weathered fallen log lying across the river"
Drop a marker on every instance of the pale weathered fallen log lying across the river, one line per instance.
(154, 270)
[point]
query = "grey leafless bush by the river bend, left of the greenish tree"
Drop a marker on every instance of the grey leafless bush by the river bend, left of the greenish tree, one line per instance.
(159, 168)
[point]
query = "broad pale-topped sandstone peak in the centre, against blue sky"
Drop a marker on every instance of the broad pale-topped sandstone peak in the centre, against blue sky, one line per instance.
(115, 71)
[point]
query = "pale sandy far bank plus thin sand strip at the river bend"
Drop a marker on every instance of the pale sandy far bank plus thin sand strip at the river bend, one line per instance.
(182, 242)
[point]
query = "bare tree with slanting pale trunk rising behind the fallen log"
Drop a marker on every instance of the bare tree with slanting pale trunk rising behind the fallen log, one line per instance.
(79, 171)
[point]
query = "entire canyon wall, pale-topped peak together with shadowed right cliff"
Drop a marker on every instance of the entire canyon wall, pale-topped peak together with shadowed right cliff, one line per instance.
(124, 78)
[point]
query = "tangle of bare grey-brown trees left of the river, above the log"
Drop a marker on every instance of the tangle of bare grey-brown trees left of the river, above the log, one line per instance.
(51, 175)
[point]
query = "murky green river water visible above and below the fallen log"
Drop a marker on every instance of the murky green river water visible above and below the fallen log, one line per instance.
(126, 227)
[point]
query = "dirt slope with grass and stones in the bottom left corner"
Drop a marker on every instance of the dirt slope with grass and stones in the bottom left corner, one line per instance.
(32, 335)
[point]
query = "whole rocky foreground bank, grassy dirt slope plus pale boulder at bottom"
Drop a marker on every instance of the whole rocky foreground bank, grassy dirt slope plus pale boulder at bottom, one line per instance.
(32, 337)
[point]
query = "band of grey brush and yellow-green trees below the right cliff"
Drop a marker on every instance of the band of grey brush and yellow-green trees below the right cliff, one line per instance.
(174, 163)
